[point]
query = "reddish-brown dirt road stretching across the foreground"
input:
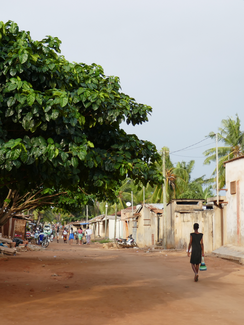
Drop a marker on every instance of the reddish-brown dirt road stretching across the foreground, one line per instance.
(90, 285)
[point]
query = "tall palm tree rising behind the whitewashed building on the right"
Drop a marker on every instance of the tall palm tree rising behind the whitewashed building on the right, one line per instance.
(232, 137)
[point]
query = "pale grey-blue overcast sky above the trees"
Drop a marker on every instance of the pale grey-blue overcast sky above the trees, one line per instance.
(182, 57)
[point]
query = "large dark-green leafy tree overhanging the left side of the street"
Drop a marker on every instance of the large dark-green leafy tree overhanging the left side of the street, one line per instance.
(60, 126)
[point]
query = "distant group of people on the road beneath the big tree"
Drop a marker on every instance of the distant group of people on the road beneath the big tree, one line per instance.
(81, 235)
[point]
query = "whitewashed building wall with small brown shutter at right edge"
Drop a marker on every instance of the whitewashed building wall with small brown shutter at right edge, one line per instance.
(235, 208)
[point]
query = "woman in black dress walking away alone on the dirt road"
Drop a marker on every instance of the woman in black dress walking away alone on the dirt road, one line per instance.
(196, 242)
